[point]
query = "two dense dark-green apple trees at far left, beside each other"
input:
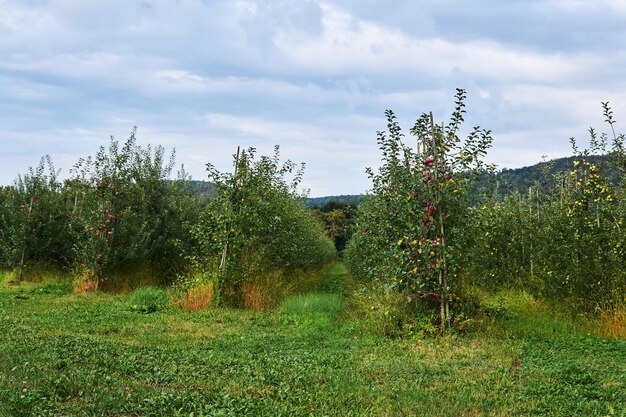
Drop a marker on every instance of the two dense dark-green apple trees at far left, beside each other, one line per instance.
(119, 212)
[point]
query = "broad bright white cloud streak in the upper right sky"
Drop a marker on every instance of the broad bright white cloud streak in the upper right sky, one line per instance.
(349, 45)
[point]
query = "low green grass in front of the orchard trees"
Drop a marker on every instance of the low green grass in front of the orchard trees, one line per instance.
(89, 354)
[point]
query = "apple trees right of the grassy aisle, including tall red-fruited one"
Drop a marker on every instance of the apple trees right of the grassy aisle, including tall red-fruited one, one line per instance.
(424, 235)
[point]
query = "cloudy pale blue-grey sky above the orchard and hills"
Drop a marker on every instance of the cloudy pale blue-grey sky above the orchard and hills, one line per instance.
(314, 77)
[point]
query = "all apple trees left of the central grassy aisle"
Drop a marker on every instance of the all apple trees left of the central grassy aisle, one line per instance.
(120, 214)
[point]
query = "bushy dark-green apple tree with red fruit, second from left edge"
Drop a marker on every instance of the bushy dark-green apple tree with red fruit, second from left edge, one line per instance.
(127, 212)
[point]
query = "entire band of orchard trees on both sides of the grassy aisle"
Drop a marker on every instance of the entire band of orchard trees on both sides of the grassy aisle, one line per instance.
(425, 233)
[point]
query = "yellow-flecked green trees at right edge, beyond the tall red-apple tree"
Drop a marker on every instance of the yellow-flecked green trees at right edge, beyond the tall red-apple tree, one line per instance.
(562, 239)
